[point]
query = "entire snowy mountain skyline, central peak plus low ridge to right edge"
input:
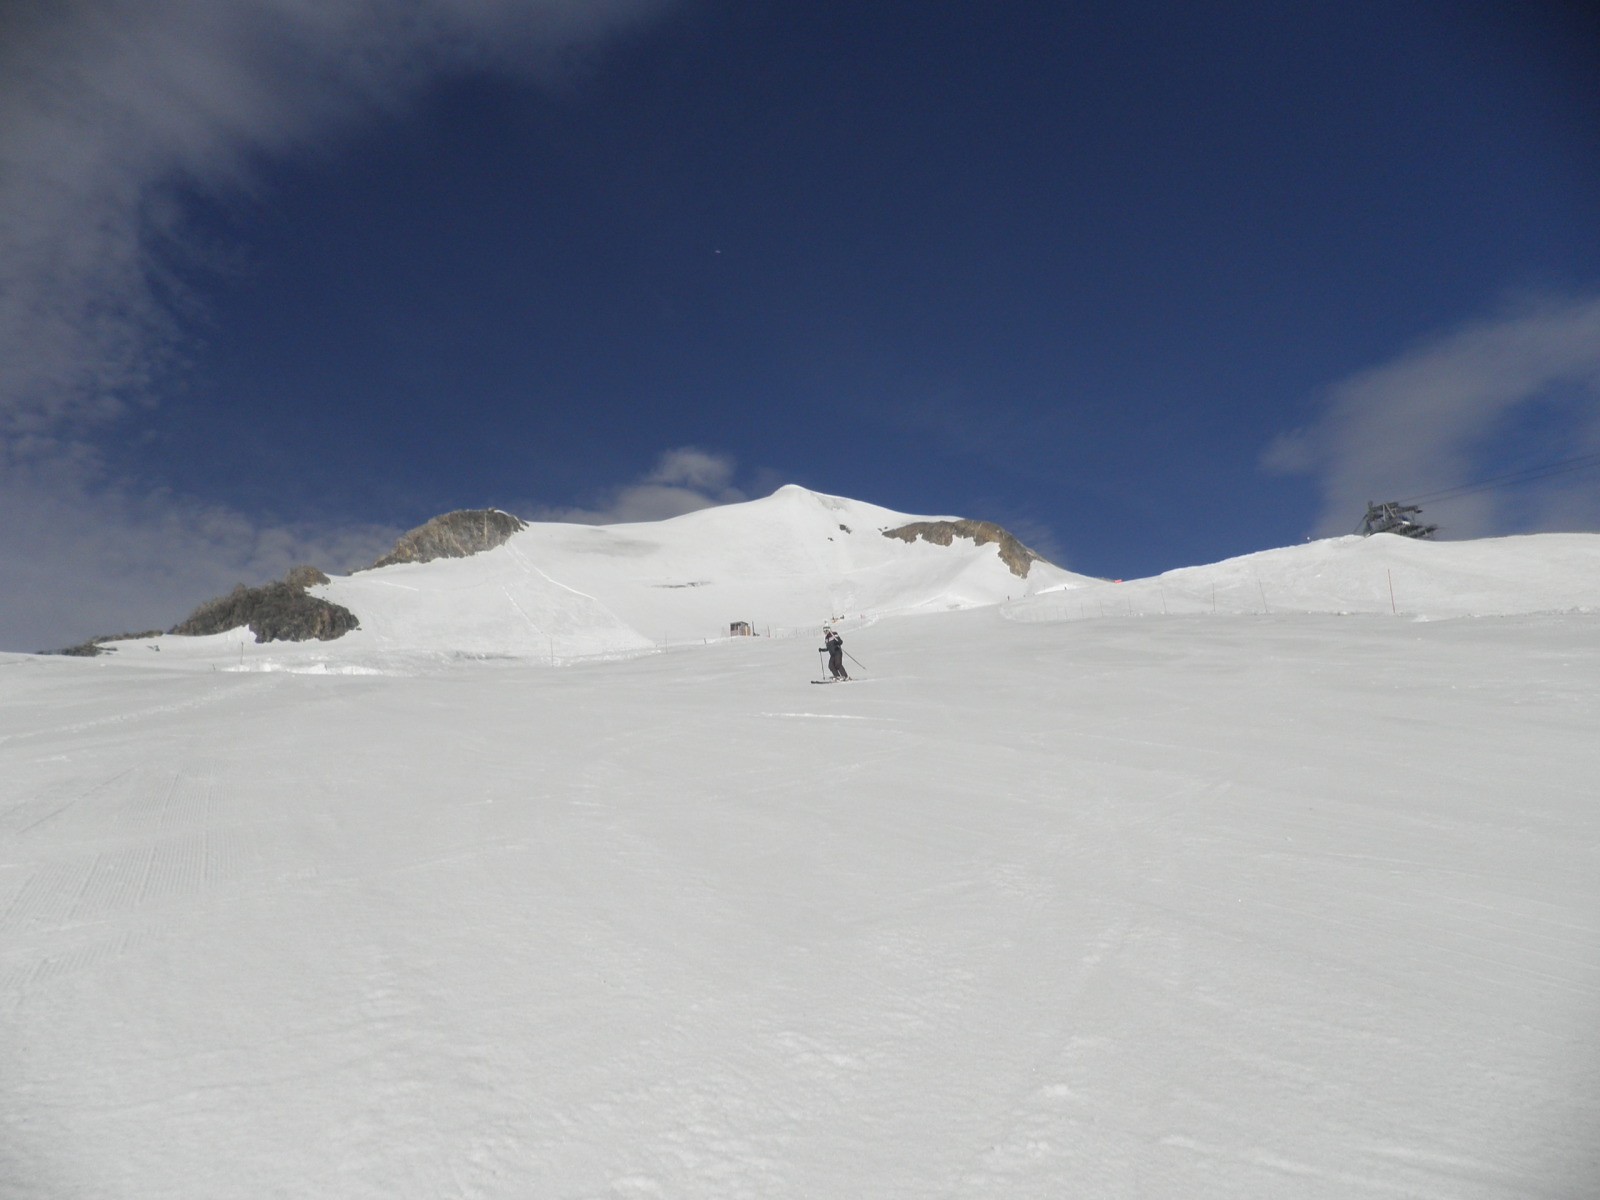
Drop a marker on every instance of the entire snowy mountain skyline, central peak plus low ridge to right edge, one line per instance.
(798, 559)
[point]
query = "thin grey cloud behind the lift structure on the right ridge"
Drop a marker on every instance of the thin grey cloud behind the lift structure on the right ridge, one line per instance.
(1444, 414)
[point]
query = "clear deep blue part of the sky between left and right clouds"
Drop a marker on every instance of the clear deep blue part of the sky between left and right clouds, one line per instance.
(1063, 266)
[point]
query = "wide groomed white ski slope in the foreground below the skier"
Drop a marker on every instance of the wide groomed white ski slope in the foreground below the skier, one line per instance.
(1132, 906)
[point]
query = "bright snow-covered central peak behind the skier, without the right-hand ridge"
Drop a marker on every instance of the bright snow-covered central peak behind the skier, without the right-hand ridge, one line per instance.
(793, 561)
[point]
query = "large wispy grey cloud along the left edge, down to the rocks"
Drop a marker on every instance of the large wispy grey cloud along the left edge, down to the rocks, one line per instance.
(110, 113)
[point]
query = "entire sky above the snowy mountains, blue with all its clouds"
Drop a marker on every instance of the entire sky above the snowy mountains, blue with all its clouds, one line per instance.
(1151, 284)
